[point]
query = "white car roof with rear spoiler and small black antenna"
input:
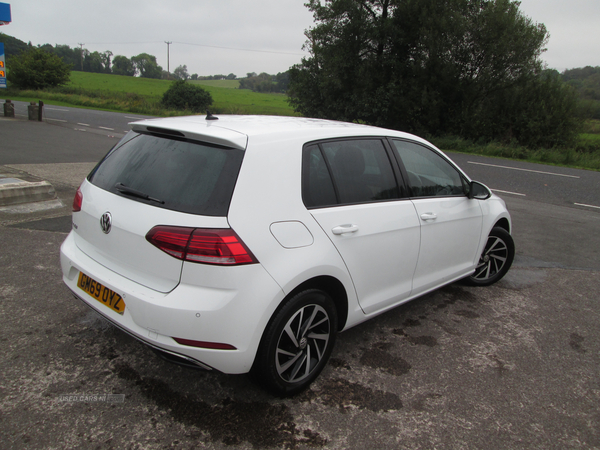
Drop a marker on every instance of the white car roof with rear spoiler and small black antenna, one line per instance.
(236, 130)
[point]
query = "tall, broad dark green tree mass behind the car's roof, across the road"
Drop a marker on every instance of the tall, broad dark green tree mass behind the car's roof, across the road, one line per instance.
(427, 66)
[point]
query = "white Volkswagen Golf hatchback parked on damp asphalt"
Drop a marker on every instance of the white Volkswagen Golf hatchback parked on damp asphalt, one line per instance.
(246, 243)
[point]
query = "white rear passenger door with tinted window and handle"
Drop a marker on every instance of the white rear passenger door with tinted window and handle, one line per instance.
(352, 191)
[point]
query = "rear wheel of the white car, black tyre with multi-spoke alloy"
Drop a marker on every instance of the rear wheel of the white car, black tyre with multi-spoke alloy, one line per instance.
(297, 343)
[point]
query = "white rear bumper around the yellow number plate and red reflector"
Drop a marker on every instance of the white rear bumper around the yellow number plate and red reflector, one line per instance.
(229, 305)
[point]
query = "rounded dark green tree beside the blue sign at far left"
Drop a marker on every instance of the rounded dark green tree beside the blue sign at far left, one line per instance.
(37, 69)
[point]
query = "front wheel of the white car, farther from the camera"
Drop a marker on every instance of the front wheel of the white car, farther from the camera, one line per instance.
(496, 259)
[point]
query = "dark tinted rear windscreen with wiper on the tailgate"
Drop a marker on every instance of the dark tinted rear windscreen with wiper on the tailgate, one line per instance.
(185, 176)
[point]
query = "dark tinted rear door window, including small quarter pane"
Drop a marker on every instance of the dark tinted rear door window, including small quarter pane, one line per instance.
(349, 171)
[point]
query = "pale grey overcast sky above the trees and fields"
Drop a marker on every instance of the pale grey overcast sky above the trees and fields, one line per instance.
(241, 36)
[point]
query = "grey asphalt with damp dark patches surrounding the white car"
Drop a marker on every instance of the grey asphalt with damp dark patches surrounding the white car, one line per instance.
(512, 366)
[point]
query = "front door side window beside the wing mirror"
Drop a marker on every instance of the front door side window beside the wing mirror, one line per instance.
(429, 175)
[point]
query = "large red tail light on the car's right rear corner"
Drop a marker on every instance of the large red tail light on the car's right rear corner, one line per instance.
(201, 245)
